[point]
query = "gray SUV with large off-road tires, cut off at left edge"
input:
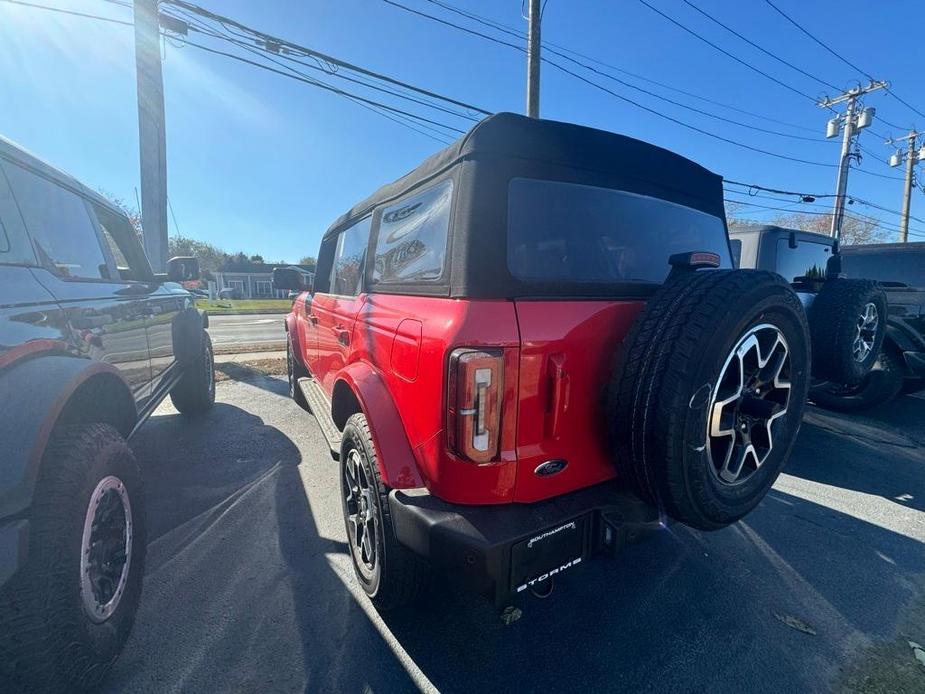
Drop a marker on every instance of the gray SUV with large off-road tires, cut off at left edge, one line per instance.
(91, 341)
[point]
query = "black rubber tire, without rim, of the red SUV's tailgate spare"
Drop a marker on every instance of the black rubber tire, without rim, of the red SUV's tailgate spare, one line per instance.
(666, 373)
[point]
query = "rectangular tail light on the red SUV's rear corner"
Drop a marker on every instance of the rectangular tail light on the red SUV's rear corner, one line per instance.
(476, 382)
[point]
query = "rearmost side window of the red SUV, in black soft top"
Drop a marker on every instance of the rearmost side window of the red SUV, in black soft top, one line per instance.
(411, 245)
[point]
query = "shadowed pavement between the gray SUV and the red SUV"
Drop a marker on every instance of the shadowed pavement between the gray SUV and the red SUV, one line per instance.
(240, 593)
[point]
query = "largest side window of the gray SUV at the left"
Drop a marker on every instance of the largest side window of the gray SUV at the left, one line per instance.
(59, 223)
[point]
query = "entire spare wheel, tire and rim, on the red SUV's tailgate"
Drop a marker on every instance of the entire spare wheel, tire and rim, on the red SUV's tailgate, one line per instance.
(708, 393)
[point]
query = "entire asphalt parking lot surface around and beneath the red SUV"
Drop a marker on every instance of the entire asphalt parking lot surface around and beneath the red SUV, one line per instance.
(249, 587)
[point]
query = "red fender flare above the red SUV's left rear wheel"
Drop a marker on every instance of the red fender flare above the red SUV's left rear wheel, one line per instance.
(396, 461)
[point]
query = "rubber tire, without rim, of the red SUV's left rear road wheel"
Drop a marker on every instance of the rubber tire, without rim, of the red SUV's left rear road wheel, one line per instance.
(399, 575)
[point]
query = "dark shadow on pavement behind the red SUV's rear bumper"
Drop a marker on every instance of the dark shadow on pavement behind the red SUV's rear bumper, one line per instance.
(684, 612)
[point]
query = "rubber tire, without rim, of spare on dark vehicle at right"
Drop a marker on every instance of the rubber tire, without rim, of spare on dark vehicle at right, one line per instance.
(833, 322)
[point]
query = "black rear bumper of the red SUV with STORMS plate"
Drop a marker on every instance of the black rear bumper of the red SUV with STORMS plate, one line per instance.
(504, 550)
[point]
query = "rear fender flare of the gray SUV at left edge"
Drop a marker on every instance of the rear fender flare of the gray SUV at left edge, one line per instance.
(37, 392)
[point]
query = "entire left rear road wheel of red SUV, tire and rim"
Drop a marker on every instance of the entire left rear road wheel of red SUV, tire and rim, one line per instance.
(387, 571)
